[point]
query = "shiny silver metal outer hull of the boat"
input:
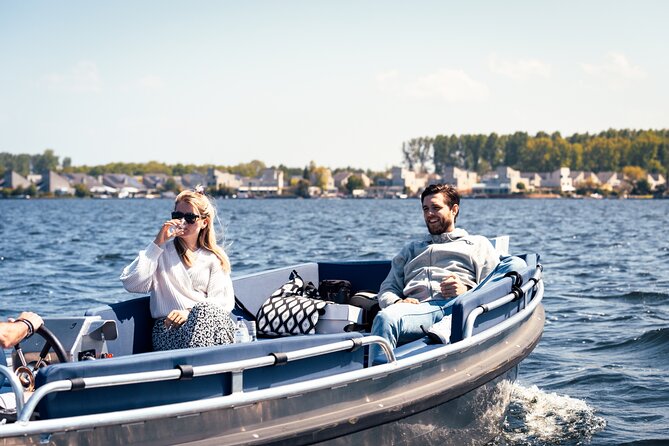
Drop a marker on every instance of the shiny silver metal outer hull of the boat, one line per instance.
(459, 397)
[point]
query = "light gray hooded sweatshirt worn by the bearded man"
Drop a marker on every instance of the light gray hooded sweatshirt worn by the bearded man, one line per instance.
(417, 271)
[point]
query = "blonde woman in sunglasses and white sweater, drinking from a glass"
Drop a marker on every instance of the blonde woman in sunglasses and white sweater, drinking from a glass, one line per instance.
(188, 277)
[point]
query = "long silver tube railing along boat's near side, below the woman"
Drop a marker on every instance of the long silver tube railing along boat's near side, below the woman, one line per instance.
(236, 368)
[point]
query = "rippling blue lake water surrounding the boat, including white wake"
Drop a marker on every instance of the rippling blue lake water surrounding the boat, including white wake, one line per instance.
(599, 376)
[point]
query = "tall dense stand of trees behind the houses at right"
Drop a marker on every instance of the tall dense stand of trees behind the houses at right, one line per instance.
(611, 150)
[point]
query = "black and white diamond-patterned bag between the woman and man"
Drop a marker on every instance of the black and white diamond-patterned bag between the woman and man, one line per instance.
(291, 310)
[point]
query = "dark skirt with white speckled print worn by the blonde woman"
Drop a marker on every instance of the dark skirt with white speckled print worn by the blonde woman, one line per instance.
(206, 325)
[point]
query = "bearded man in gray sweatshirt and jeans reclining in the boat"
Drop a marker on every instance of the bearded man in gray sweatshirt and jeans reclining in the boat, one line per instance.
(428, 274)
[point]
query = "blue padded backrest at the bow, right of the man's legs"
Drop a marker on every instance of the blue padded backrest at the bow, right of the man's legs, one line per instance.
(490, 291)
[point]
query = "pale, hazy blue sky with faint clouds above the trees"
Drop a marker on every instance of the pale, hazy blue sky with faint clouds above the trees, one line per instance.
(341, 83)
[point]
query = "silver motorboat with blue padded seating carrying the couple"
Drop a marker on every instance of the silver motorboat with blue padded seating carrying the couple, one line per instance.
(103, 385)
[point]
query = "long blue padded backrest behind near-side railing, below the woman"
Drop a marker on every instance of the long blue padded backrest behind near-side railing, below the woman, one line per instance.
(131, 396)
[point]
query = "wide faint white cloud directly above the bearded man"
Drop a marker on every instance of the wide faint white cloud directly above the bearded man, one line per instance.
(448, 84)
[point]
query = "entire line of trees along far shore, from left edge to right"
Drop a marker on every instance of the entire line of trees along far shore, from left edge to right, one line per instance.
(611, 150)
